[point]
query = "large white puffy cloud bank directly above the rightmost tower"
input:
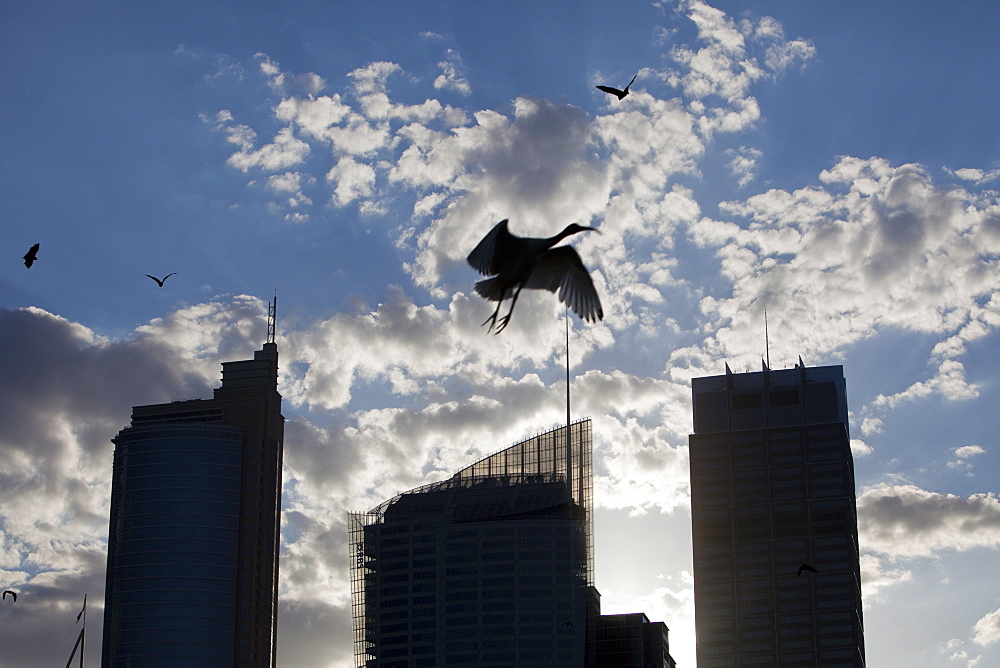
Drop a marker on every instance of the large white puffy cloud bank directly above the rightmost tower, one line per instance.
(877, 247)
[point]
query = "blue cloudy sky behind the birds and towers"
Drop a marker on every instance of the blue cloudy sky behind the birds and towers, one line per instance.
(835, 164)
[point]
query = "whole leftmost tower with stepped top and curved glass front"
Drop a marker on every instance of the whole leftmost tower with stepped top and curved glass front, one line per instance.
(193, 542)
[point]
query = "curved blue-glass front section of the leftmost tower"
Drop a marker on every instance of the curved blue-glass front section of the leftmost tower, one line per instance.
(175, 532)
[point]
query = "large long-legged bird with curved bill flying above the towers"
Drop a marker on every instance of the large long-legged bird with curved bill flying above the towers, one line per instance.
(515, 263)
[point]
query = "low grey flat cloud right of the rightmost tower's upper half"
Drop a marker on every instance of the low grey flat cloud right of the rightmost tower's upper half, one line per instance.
(904, 521)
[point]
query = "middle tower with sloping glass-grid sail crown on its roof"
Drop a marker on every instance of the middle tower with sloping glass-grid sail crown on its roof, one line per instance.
(491, 567)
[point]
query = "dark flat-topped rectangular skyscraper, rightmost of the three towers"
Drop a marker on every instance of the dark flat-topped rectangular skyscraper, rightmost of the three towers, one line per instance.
(772, 488)
